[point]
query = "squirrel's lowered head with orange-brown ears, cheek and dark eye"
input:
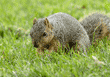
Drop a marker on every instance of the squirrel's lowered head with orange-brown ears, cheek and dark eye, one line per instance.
(41, 32)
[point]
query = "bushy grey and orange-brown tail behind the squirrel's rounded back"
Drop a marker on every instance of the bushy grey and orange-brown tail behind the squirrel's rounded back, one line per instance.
(97, 24)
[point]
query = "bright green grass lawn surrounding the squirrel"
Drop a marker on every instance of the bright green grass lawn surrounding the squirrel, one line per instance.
(18, 56)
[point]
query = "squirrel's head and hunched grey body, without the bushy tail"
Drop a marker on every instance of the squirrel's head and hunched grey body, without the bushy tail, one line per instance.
(56, 30)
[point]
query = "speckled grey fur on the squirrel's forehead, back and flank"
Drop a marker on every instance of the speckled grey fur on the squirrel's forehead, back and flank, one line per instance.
(65, 28)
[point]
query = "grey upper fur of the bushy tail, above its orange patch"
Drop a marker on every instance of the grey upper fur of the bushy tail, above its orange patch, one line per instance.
(91, 22)
